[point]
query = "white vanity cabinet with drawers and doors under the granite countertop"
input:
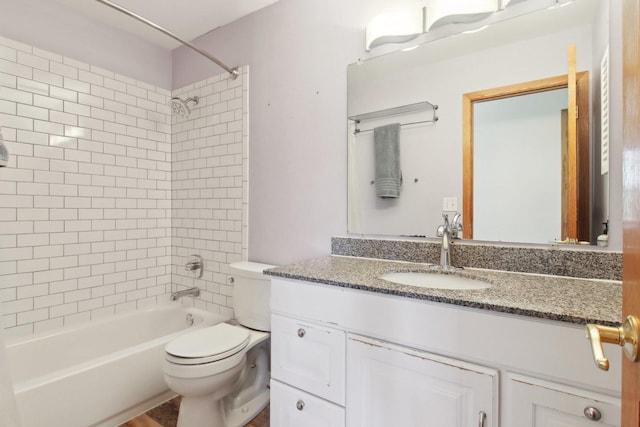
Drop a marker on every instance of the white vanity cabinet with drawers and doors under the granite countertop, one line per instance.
(379, 360)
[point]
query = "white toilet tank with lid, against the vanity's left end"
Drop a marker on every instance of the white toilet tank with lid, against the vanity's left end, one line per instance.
(251, 294)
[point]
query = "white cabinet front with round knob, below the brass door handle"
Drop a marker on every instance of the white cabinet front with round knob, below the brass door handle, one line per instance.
(537, 403)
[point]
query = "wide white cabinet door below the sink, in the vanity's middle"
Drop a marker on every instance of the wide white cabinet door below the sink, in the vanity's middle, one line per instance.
(391, 385)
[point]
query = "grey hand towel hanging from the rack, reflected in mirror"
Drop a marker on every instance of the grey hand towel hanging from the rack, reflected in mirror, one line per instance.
(388, 176)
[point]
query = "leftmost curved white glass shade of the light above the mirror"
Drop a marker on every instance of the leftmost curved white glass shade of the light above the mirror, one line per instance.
(394, 27)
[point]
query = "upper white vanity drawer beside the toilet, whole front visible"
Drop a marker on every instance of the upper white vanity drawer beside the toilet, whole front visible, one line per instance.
(309, 357)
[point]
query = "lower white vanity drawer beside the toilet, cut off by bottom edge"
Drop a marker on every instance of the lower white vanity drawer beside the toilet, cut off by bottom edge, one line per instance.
(291, 407)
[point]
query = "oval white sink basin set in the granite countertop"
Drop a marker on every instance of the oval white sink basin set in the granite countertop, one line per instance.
(435, 280)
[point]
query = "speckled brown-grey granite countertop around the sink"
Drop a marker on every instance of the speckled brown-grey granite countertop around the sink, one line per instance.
(564, 299)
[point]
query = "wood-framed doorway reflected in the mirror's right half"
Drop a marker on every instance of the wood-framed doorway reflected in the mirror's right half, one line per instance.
(519, 160)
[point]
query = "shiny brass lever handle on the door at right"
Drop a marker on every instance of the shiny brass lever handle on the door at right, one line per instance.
(625, 336)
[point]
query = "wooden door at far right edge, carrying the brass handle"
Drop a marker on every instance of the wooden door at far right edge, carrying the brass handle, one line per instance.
(631, 201)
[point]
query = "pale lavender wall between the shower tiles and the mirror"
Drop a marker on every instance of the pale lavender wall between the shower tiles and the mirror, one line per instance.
(298, 52)
